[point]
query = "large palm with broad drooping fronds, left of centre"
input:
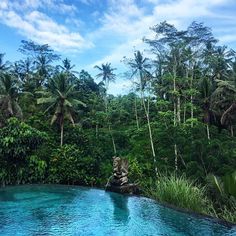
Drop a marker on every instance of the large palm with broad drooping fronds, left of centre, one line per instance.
(61, 98)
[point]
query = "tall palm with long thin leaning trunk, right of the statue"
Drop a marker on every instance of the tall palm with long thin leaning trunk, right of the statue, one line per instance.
(140, 67)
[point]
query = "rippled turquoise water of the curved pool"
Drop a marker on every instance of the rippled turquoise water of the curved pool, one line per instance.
(65, 210)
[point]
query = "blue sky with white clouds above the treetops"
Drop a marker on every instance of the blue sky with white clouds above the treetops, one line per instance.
(91, 32)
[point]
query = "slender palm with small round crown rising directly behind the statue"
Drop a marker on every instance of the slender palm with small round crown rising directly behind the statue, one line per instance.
(107, 75)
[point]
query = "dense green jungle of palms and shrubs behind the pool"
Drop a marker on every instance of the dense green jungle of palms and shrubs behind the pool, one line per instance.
(176, 127)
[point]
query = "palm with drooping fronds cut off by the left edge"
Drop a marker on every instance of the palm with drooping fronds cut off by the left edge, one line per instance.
(9, 96)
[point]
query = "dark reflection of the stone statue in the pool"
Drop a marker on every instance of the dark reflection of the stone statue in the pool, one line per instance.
(120, 208)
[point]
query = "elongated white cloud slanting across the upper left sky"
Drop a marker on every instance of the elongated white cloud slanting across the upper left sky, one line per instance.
(39, 27)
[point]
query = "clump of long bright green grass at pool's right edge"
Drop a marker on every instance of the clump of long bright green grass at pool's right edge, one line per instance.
(180, 192)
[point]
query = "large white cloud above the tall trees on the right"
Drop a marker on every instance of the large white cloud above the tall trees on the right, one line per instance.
(124, 18)
